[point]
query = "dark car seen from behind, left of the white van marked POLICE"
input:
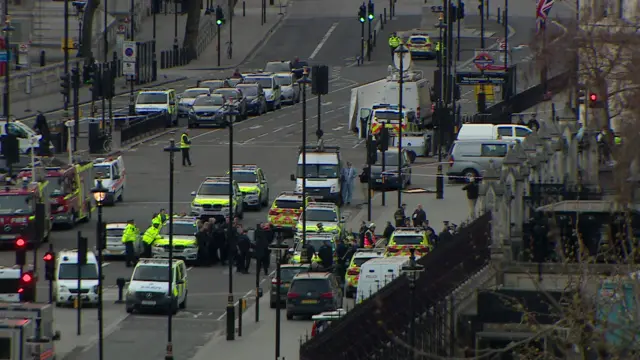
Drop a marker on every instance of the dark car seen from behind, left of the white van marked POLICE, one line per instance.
(312, 293)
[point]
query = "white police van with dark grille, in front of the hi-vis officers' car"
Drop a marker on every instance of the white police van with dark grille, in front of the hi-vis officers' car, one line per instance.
(149, 288)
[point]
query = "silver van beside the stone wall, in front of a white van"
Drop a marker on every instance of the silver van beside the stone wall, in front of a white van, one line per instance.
(471, 158)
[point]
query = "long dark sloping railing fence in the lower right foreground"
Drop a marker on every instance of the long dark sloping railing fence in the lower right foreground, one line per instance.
(382, 321)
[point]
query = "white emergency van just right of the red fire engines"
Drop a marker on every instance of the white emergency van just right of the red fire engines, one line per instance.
(113, 175)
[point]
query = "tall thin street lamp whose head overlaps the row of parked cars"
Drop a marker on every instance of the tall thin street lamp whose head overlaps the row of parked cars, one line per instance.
(230, 115)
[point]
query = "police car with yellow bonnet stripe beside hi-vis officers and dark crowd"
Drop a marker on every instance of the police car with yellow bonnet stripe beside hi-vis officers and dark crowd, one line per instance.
(185, 245)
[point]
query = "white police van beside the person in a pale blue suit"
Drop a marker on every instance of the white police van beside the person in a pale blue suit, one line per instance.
(322, 173)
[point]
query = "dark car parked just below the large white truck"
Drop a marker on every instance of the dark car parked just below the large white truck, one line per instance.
(389, 179)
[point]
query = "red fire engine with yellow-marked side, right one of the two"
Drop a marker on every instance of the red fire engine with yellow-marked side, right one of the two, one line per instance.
(69, 192)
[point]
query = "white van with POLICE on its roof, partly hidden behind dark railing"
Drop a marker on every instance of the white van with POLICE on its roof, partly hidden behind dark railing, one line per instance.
(378, 272)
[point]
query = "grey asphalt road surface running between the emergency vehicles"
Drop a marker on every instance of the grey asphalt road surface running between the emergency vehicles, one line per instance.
(271, 141)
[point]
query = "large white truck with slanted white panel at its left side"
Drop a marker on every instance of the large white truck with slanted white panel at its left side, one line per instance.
(417, 95)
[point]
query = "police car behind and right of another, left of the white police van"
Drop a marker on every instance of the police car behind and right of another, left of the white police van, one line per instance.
(253, 185)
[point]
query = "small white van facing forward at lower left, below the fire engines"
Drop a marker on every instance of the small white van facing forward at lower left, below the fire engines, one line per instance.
(65, 282)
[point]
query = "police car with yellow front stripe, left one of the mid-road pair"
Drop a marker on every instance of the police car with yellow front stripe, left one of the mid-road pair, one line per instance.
(212, 198)
